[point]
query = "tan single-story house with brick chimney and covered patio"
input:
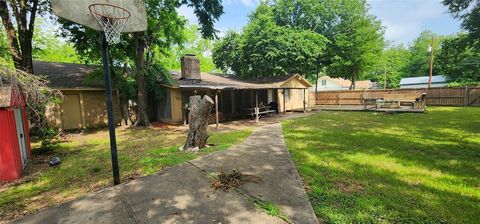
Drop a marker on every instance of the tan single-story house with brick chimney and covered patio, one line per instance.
(236, 97)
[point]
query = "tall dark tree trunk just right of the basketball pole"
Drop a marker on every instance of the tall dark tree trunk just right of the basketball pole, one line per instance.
(142, 118)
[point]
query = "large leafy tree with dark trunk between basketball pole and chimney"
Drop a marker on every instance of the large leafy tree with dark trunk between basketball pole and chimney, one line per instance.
(164, 30)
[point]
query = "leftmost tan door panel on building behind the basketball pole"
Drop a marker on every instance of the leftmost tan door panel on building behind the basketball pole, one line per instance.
(71, 115)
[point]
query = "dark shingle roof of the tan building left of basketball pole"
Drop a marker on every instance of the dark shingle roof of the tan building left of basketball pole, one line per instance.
(67, 75)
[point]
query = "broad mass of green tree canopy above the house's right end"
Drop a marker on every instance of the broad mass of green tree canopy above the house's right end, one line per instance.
(303, 36)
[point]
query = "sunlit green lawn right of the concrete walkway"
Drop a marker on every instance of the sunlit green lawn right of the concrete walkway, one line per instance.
(364, 167)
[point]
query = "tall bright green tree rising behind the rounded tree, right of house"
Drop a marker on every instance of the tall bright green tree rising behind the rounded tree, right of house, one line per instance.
(355, 37)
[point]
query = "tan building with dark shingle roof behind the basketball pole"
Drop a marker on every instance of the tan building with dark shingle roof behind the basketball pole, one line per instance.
(83, 105)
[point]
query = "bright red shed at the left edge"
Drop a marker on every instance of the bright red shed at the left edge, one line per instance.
(14, 139)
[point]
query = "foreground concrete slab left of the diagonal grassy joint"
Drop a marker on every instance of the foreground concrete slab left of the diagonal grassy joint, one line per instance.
(180, 194)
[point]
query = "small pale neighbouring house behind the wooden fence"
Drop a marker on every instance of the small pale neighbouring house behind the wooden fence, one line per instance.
(326, 83)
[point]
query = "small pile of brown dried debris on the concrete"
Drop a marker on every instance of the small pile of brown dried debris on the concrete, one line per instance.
(233, 180)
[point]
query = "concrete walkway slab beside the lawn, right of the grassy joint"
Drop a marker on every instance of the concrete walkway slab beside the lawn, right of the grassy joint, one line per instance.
(265, 155)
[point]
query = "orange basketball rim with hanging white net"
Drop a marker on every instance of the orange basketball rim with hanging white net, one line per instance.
(112, 18)
